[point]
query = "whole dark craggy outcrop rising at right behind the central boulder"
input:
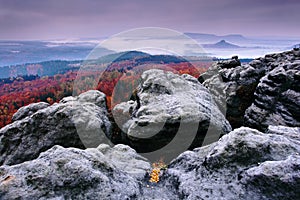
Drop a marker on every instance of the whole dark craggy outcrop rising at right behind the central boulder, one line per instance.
(268, 85)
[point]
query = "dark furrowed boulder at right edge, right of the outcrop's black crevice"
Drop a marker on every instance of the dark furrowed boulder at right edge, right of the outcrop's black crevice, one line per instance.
(277, 96)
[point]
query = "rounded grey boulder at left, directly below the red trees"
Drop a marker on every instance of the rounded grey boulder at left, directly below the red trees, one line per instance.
(74, 122)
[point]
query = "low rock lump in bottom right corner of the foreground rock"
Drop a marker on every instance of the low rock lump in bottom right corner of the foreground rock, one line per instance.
(274, 179)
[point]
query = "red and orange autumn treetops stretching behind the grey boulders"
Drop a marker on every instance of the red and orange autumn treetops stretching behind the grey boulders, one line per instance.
(116, 83)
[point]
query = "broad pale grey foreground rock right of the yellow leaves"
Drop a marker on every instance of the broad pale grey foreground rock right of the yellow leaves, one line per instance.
(244, 164)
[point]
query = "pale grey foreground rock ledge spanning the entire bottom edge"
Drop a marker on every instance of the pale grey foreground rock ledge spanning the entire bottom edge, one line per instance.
(244, 164)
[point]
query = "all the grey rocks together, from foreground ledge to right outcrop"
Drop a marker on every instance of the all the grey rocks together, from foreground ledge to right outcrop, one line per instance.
(244, 164)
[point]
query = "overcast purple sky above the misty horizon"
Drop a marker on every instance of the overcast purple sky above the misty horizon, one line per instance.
(59, 19)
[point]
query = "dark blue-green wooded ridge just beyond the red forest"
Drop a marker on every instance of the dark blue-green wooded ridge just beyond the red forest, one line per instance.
(117, 61)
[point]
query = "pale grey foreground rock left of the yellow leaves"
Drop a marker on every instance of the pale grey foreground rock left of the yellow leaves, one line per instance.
(70, 173)
